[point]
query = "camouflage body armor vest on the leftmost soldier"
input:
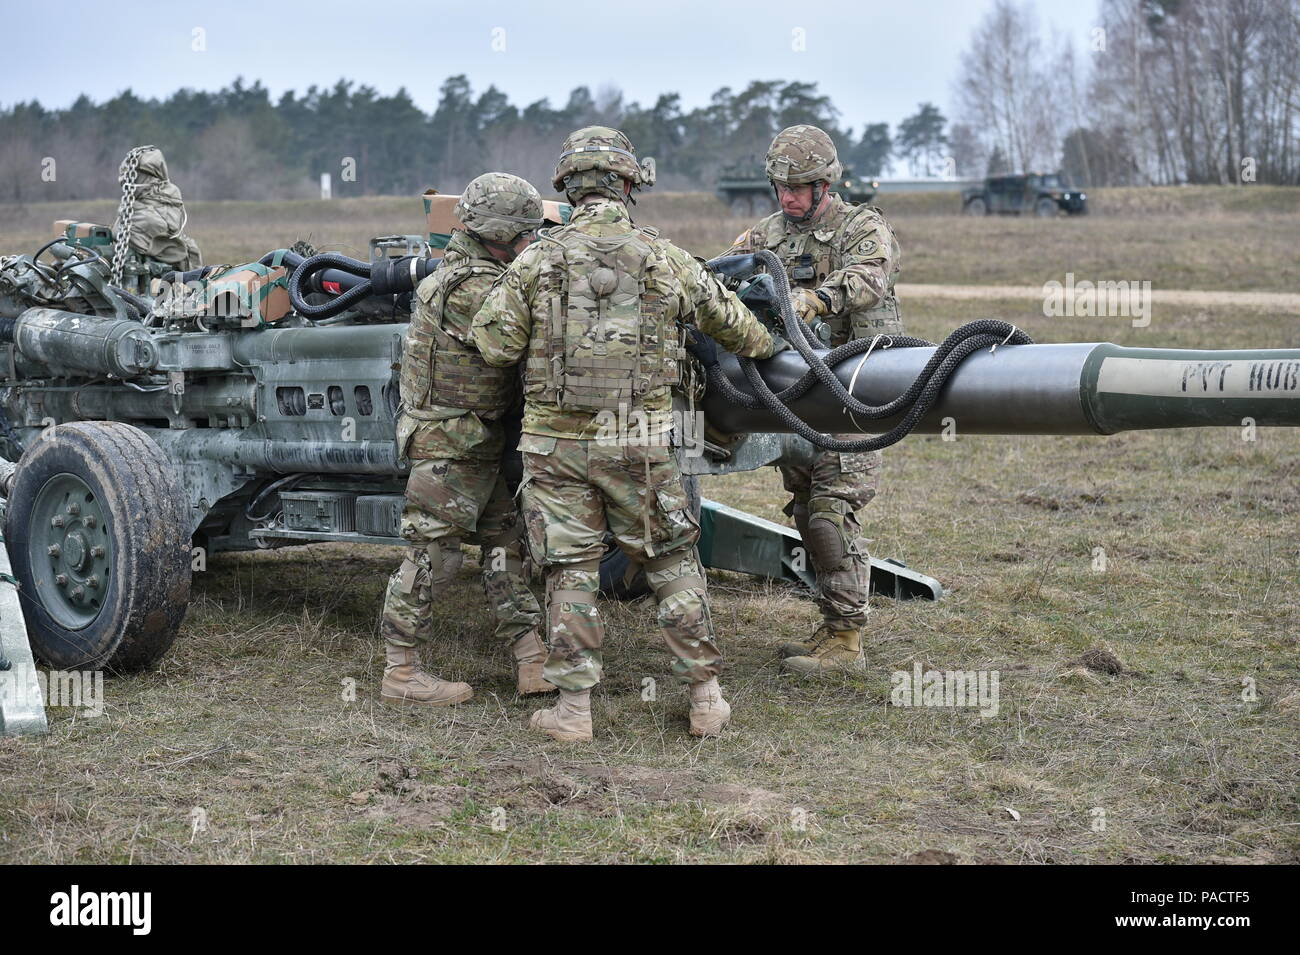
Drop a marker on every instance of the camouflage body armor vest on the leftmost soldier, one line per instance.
(439, 368)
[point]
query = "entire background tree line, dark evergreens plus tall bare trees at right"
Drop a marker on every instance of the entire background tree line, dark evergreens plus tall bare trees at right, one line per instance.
(1164, 92)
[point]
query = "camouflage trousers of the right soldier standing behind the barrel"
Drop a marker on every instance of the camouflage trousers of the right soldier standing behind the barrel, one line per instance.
(827, 496)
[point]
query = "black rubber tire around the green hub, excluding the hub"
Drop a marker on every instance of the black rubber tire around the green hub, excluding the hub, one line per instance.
(149, 588)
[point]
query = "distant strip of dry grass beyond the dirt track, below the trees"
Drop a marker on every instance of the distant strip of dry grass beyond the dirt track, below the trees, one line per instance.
(1177, 238)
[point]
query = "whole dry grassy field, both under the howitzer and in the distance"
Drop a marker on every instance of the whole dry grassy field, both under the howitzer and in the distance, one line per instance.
(1173, 759)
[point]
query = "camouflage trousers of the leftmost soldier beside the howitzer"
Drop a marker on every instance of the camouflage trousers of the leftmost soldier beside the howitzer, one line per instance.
(449, 502)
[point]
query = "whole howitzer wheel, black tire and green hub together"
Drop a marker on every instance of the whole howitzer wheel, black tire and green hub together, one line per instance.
(101, 548)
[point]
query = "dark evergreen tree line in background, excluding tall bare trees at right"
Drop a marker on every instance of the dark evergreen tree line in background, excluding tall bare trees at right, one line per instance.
(241, 144)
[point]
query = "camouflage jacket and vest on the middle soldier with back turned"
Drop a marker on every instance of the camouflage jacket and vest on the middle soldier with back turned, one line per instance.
(522, 315)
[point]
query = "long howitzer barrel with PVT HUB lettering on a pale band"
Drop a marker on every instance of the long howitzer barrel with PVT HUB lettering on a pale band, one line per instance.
(1039, 389)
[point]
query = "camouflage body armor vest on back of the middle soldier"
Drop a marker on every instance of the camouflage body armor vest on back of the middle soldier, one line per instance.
(609, 341)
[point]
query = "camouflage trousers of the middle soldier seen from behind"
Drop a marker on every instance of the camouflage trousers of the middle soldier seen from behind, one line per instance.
(574, 493)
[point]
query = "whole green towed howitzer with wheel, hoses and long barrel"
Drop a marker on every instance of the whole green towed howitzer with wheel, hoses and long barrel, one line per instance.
(233, 409)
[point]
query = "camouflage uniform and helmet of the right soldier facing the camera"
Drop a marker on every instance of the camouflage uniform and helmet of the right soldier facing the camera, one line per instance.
(851, 255)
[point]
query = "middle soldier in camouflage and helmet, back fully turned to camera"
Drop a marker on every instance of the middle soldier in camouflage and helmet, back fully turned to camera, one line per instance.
(596, 311)
